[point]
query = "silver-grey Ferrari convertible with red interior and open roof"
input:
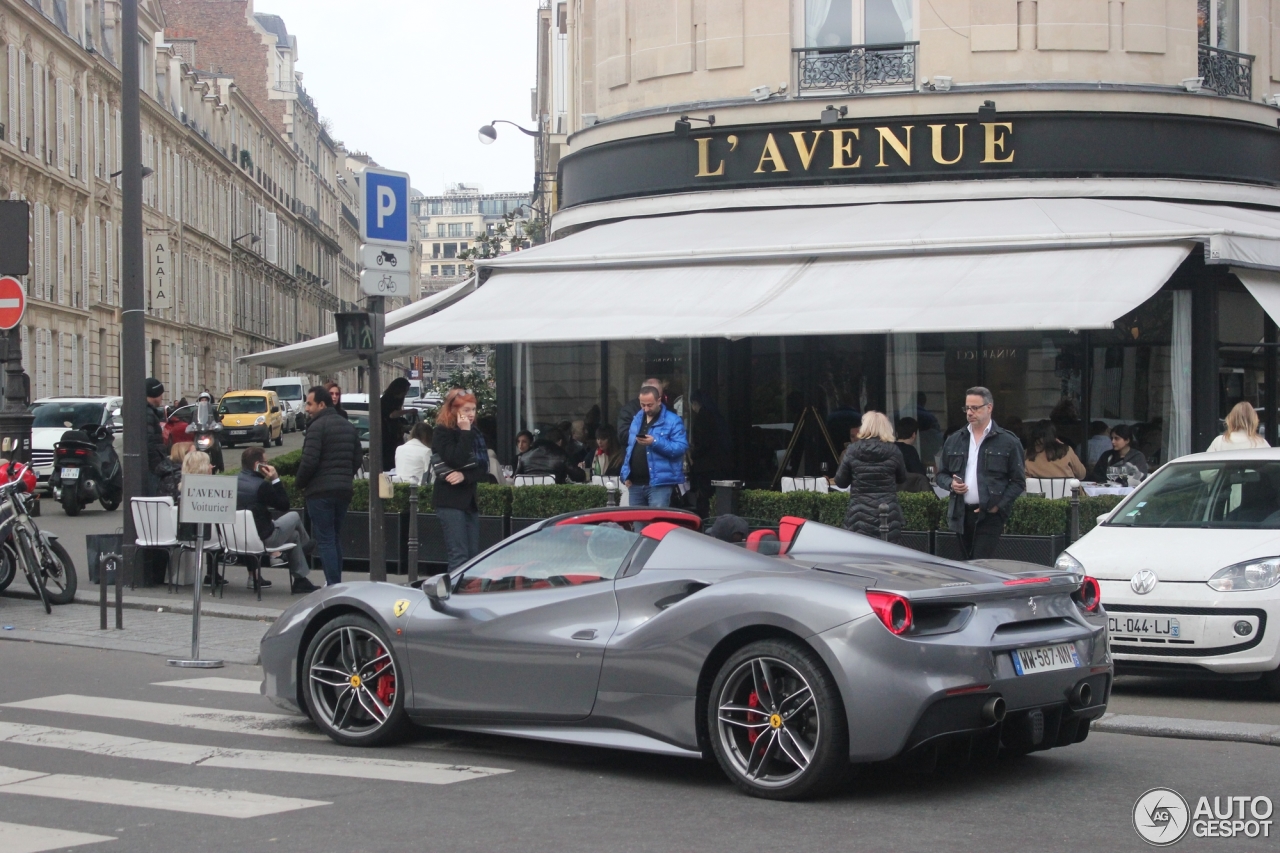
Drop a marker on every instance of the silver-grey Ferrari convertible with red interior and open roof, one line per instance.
(789, 656)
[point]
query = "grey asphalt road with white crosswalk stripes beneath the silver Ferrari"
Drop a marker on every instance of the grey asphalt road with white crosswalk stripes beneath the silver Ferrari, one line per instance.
(550, 799)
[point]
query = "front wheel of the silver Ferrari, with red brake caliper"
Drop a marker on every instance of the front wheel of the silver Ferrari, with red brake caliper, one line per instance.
(354, 686)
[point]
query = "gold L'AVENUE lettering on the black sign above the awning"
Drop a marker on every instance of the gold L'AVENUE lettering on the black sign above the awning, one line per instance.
(894, 147)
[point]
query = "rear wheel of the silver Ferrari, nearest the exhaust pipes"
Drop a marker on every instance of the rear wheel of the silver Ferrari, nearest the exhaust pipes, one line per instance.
(776, 722)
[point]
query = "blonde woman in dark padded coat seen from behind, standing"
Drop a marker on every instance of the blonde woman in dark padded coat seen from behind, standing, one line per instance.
(874, 468)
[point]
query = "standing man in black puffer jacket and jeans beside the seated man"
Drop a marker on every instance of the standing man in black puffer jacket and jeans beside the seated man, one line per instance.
(331, 458)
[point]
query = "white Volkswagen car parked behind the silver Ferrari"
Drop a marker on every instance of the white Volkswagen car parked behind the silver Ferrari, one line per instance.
(1190, 568)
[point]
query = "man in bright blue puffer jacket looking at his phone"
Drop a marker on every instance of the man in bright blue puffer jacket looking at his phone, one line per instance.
(655, 462)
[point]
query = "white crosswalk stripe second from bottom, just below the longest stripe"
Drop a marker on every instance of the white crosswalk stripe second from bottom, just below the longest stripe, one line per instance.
(171, 799)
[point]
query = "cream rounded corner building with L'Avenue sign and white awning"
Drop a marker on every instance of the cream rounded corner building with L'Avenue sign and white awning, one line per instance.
(852, 206)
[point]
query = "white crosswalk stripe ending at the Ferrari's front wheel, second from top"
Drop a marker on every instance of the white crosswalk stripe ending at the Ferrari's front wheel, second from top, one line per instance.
(188, 717)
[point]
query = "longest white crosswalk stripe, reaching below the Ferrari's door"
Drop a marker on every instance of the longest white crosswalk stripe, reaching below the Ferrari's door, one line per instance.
(290, 763)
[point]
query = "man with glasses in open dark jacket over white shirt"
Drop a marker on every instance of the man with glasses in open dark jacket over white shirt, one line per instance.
(982, 467)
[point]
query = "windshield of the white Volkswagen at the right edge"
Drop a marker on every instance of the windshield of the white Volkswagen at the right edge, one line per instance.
(1232, 494)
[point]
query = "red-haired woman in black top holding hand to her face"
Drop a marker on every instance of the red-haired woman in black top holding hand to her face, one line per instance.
(454, 446)
